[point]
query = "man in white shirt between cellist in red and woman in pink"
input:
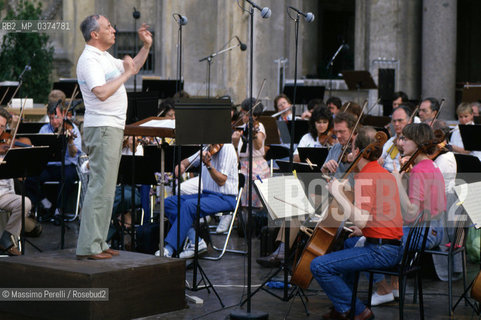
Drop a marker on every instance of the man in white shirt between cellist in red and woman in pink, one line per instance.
(390, 152)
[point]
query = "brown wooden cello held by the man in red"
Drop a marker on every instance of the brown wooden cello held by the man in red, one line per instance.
(330, 228)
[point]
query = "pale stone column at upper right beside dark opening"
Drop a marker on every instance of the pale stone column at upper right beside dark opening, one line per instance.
(439, 53)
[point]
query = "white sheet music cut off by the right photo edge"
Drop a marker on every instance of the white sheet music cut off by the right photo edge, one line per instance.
(468, 195)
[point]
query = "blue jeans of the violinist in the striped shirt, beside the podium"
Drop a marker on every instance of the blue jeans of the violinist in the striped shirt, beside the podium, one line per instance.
(210, 203)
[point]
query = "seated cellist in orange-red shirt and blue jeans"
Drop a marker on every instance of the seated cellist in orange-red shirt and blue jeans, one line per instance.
(376, 214)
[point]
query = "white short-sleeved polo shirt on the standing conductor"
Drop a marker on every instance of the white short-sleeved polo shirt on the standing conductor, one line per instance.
(95, 68)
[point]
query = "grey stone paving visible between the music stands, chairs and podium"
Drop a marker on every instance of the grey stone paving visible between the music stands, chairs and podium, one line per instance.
(229, 280)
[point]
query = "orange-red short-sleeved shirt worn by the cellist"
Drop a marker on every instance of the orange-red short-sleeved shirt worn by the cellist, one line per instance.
(375, 190)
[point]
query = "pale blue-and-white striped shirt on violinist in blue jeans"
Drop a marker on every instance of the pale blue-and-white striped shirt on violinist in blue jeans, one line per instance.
(224, 161)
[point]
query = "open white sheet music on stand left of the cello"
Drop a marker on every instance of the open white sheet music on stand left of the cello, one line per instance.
(284, 197)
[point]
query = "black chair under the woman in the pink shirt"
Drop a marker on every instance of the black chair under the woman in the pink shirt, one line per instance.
(456, 246)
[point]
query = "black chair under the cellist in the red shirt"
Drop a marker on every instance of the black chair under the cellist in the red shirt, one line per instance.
(410, 264)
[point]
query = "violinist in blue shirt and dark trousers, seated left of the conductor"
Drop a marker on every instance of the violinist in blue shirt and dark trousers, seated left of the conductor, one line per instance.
(53, 170)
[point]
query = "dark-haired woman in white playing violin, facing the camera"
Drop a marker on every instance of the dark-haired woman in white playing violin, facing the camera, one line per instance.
(320, 131)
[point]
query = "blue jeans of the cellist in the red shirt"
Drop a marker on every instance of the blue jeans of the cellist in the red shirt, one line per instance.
(335, 271)
